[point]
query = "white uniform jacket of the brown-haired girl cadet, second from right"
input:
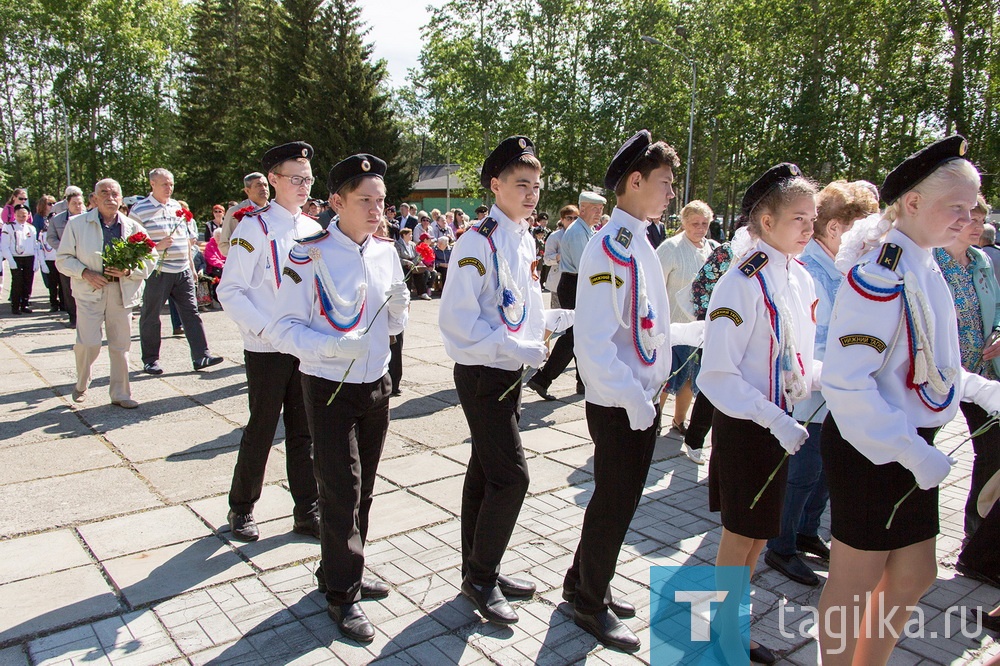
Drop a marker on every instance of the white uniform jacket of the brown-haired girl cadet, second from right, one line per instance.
(738, 367)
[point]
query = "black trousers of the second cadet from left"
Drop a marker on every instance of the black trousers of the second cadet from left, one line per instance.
(348, 436)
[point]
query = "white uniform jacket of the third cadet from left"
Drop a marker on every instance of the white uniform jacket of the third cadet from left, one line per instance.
(470, 322)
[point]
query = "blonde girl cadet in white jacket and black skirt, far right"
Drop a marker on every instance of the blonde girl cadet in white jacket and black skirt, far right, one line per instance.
(893, 376)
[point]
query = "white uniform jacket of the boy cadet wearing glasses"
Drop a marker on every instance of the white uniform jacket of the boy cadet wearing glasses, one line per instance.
(258, 252)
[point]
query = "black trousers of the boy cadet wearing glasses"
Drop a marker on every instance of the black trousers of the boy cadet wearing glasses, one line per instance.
(274, 384)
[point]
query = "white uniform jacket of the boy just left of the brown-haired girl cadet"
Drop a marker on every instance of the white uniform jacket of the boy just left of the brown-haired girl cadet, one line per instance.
(612, 370)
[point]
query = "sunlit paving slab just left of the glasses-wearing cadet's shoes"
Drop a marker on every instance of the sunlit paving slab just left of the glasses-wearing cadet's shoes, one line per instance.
(142, 531)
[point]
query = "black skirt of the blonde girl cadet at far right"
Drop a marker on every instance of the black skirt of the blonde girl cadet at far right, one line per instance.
(862, 495)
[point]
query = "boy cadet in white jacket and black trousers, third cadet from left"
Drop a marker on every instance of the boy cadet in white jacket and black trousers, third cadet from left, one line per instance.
(492, 323)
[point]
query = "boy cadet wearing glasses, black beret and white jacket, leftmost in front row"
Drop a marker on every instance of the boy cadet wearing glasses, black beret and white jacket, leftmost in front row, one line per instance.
(249, 291)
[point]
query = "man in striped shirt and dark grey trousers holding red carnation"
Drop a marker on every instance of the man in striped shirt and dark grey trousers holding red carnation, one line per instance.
(164, 221)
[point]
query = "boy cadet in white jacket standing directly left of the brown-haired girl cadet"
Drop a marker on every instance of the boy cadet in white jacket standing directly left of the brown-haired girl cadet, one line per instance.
(622, 347)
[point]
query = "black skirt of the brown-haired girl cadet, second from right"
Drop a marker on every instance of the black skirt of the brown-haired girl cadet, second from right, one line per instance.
(743, 455)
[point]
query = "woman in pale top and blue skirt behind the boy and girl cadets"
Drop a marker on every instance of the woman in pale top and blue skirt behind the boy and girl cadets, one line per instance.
(681, 257)
